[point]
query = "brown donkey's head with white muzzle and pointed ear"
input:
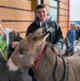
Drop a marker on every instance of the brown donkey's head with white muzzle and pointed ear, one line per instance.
(26, 52)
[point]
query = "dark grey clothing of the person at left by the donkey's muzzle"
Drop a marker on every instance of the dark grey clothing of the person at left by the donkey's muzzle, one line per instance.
(5, 74)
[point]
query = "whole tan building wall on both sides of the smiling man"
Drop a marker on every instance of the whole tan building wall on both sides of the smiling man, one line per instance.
(18, 15)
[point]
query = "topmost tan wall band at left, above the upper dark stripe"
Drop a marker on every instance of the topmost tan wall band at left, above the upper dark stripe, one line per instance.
(24, 4)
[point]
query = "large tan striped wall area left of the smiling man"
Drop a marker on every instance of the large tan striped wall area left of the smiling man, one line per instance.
(16, 14)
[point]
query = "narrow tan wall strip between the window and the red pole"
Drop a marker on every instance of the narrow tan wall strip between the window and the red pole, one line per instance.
(63, 16)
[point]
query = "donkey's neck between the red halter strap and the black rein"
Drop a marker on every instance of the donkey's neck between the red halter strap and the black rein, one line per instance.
(46, 64)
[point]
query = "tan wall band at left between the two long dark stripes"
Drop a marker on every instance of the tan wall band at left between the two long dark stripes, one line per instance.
(15, 14)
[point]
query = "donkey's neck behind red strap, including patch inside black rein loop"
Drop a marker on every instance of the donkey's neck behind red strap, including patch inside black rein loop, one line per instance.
(46, 66)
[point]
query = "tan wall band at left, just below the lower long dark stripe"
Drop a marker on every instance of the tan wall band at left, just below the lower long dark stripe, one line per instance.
(17, 26)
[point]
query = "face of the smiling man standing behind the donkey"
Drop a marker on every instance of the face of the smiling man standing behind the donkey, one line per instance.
(42, 14)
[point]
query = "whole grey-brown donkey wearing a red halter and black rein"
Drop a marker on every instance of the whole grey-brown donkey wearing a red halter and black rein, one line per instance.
(34, 51)
